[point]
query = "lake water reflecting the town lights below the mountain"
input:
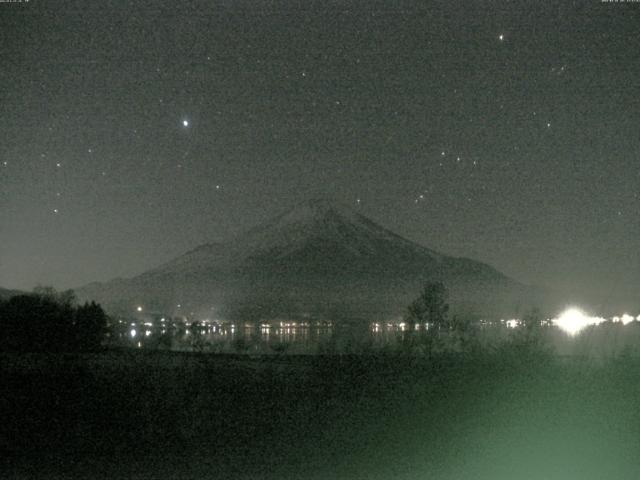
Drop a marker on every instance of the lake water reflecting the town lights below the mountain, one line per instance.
(326, 338)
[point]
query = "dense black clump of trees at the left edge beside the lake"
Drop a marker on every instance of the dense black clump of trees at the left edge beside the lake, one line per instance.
(48, 321)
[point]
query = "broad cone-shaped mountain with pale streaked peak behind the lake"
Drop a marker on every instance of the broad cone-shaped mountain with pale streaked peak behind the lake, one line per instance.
(320, 259)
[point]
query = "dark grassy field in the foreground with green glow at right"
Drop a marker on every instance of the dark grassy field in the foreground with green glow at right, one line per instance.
(137, 414)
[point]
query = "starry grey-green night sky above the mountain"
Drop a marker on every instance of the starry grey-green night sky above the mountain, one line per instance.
(508, 132)
